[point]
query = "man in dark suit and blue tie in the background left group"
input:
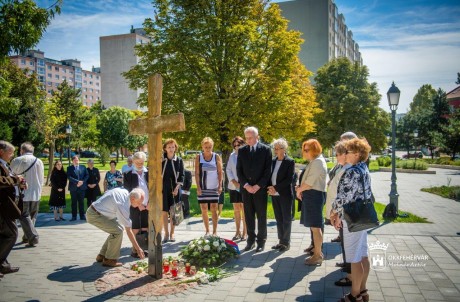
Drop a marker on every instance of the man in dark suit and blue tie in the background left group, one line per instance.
(78, 183)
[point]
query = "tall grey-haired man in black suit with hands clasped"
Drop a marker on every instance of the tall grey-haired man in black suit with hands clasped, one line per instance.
(253, 168)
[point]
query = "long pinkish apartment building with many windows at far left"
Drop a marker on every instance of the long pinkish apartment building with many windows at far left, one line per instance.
(52, 72)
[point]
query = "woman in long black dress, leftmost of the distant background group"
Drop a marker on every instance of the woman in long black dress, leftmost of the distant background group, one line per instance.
(57, 198)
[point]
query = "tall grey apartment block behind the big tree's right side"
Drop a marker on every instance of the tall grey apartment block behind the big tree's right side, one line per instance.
(324, 30)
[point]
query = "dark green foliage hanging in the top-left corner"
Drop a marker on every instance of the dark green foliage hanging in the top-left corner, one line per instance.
(22, 24)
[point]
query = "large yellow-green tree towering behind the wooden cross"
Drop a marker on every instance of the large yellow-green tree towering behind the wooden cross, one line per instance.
(226, 65)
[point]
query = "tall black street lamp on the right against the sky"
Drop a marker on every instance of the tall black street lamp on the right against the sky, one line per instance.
(393, 100)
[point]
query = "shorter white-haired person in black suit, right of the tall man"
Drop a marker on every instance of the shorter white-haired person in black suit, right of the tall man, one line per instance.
(280, 189)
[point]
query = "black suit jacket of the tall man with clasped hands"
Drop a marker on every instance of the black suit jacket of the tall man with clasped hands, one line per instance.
(254, 169)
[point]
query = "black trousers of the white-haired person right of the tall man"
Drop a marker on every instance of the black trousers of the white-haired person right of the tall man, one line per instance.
(282, 207)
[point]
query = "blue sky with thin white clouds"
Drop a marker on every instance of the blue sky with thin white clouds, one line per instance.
(410, 42)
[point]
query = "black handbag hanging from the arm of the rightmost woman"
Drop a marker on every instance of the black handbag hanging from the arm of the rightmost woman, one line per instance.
(360, 215)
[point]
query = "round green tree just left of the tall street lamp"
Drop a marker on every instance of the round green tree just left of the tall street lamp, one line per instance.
(349, 103)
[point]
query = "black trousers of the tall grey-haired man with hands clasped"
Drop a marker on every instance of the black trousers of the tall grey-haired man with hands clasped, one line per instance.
(255, 205)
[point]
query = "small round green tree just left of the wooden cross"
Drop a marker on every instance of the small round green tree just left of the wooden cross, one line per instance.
(113, 126)
